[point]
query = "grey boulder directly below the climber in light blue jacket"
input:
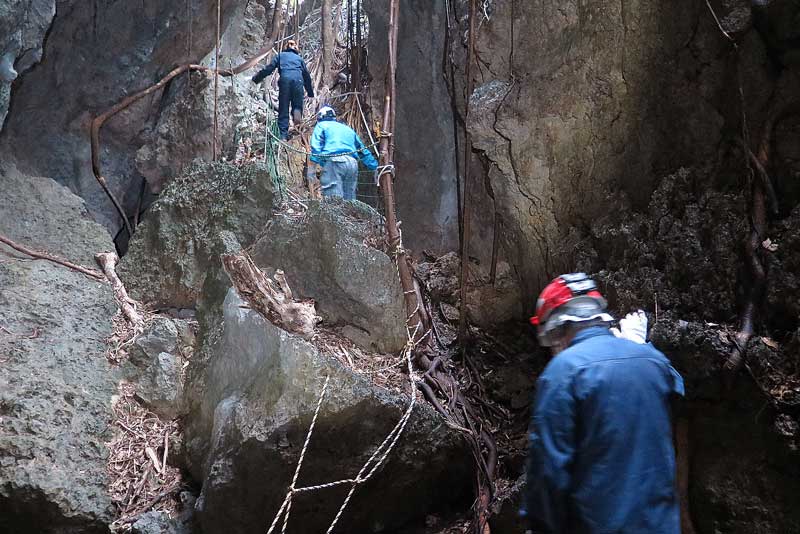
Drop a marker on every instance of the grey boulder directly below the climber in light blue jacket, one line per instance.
(326, 257)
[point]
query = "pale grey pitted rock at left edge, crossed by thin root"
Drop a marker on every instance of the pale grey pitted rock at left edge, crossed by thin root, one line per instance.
(55, 382)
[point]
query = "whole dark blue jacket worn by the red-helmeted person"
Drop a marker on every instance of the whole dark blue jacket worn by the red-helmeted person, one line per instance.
(601, 458)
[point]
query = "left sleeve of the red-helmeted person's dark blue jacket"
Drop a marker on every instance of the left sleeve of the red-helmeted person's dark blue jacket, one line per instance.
(550, 453)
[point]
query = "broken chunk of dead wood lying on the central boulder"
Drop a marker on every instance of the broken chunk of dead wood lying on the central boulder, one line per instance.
(268, 297)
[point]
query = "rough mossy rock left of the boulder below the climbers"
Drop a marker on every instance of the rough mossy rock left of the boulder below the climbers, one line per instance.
(171, 253)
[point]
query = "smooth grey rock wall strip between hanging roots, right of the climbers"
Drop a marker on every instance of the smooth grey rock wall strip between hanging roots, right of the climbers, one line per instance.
(425, 155)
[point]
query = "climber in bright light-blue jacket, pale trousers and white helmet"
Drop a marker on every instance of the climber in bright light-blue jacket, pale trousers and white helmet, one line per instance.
(335, 146)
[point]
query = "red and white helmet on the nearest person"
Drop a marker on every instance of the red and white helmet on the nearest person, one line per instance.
(570, 298)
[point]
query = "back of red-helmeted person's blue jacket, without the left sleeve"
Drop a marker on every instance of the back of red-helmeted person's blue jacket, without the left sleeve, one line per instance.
(624, 465)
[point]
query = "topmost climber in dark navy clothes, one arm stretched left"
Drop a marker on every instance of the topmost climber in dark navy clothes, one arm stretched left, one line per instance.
(294, 77)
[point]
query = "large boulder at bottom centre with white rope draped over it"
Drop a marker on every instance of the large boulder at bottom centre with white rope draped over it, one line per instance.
(254, 390)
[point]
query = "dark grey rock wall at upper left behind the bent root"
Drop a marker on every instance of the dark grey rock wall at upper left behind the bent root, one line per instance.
(94, 57)
